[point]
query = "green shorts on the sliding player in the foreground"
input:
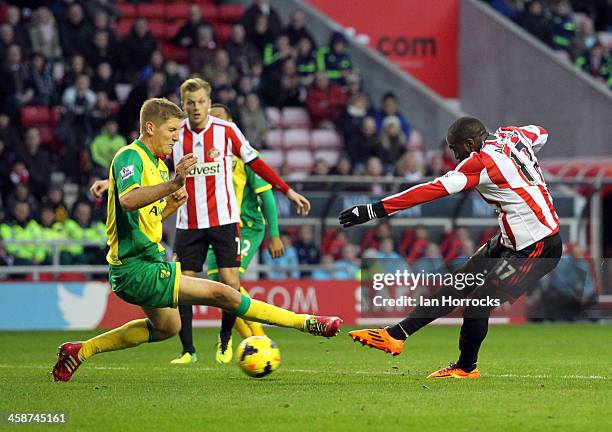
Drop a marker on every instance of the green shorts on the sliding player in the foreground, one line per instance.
(150, 284)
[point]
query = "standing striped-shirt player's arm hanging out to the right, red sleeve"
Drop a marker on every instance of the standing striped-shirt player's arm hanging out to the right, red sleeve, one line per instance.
(242, 148)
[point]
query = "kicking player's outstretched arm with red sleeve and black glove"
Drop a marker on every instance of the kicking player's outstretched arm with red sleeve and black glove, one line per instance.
(464, 177)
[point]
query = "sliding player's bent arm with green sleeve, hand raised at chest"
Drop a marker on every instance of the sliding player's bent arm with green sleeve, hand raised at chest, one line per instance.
(132, 196)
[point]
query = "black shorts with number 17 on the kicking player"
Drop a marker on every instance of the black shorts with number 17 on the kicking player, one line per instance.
(508, 274)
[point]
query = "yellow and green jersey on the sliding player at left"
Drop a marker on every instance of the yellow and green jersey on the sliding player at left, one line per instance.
(134, 234)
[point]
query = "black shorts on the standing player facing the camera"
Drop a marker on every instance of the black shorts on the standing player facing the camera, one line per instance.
(191, 246)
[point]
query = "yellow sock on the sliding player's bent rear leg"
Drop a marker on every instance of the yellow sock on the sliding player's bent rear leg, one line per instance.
(129, 335)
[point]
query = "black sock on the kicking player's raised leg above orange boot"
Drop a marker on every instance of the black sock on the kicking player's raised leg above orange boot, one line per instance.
(423, 315)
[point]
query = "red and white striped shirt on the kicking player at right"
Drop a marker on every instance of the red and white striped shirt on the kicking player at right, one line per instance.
(506, 174)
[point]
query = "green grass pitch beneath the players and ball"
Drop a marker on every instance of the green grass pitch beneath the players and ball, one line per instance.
(535, 378)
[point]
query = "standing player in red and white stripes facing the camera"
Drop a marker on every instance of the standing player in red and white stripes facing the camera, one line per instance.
(211, 215)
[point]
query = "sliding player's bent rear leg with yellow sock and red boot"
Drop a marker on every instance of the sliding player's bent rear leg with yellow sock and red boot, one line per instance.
(160, 324)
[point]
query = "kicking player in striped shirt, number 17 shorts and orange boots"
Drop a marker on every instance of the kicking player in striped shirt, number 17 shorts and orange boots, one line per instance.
(503, 168)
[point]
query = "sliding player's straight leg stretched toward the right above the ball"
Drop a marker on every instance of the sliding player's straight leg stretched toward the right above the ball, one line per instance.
(205, 292)
